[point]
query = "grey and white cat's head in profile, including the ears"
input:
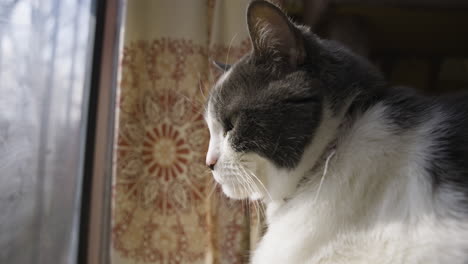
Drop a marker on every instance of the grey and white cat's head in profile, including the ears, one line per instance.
(266, 110)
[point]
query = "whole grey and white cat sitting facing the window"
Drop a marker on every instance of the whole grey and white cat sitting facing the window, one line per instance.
(350, 169)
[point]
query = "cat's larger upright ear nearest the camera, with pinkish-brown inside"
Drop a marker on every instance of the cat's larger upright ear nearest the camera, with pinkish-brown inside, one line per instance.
(272, 33)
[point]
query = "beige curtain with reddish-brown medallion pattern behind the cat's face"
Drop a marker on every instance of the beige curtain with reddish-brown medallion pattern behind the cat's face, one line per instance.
(165, 206)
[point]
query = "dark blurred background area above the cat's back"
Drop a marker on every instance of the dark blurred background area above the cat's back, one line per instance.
(419, 43)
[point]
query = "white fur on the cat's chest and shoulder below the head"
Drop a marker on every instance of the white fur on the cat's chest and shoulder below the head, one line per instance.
(375, 206)
